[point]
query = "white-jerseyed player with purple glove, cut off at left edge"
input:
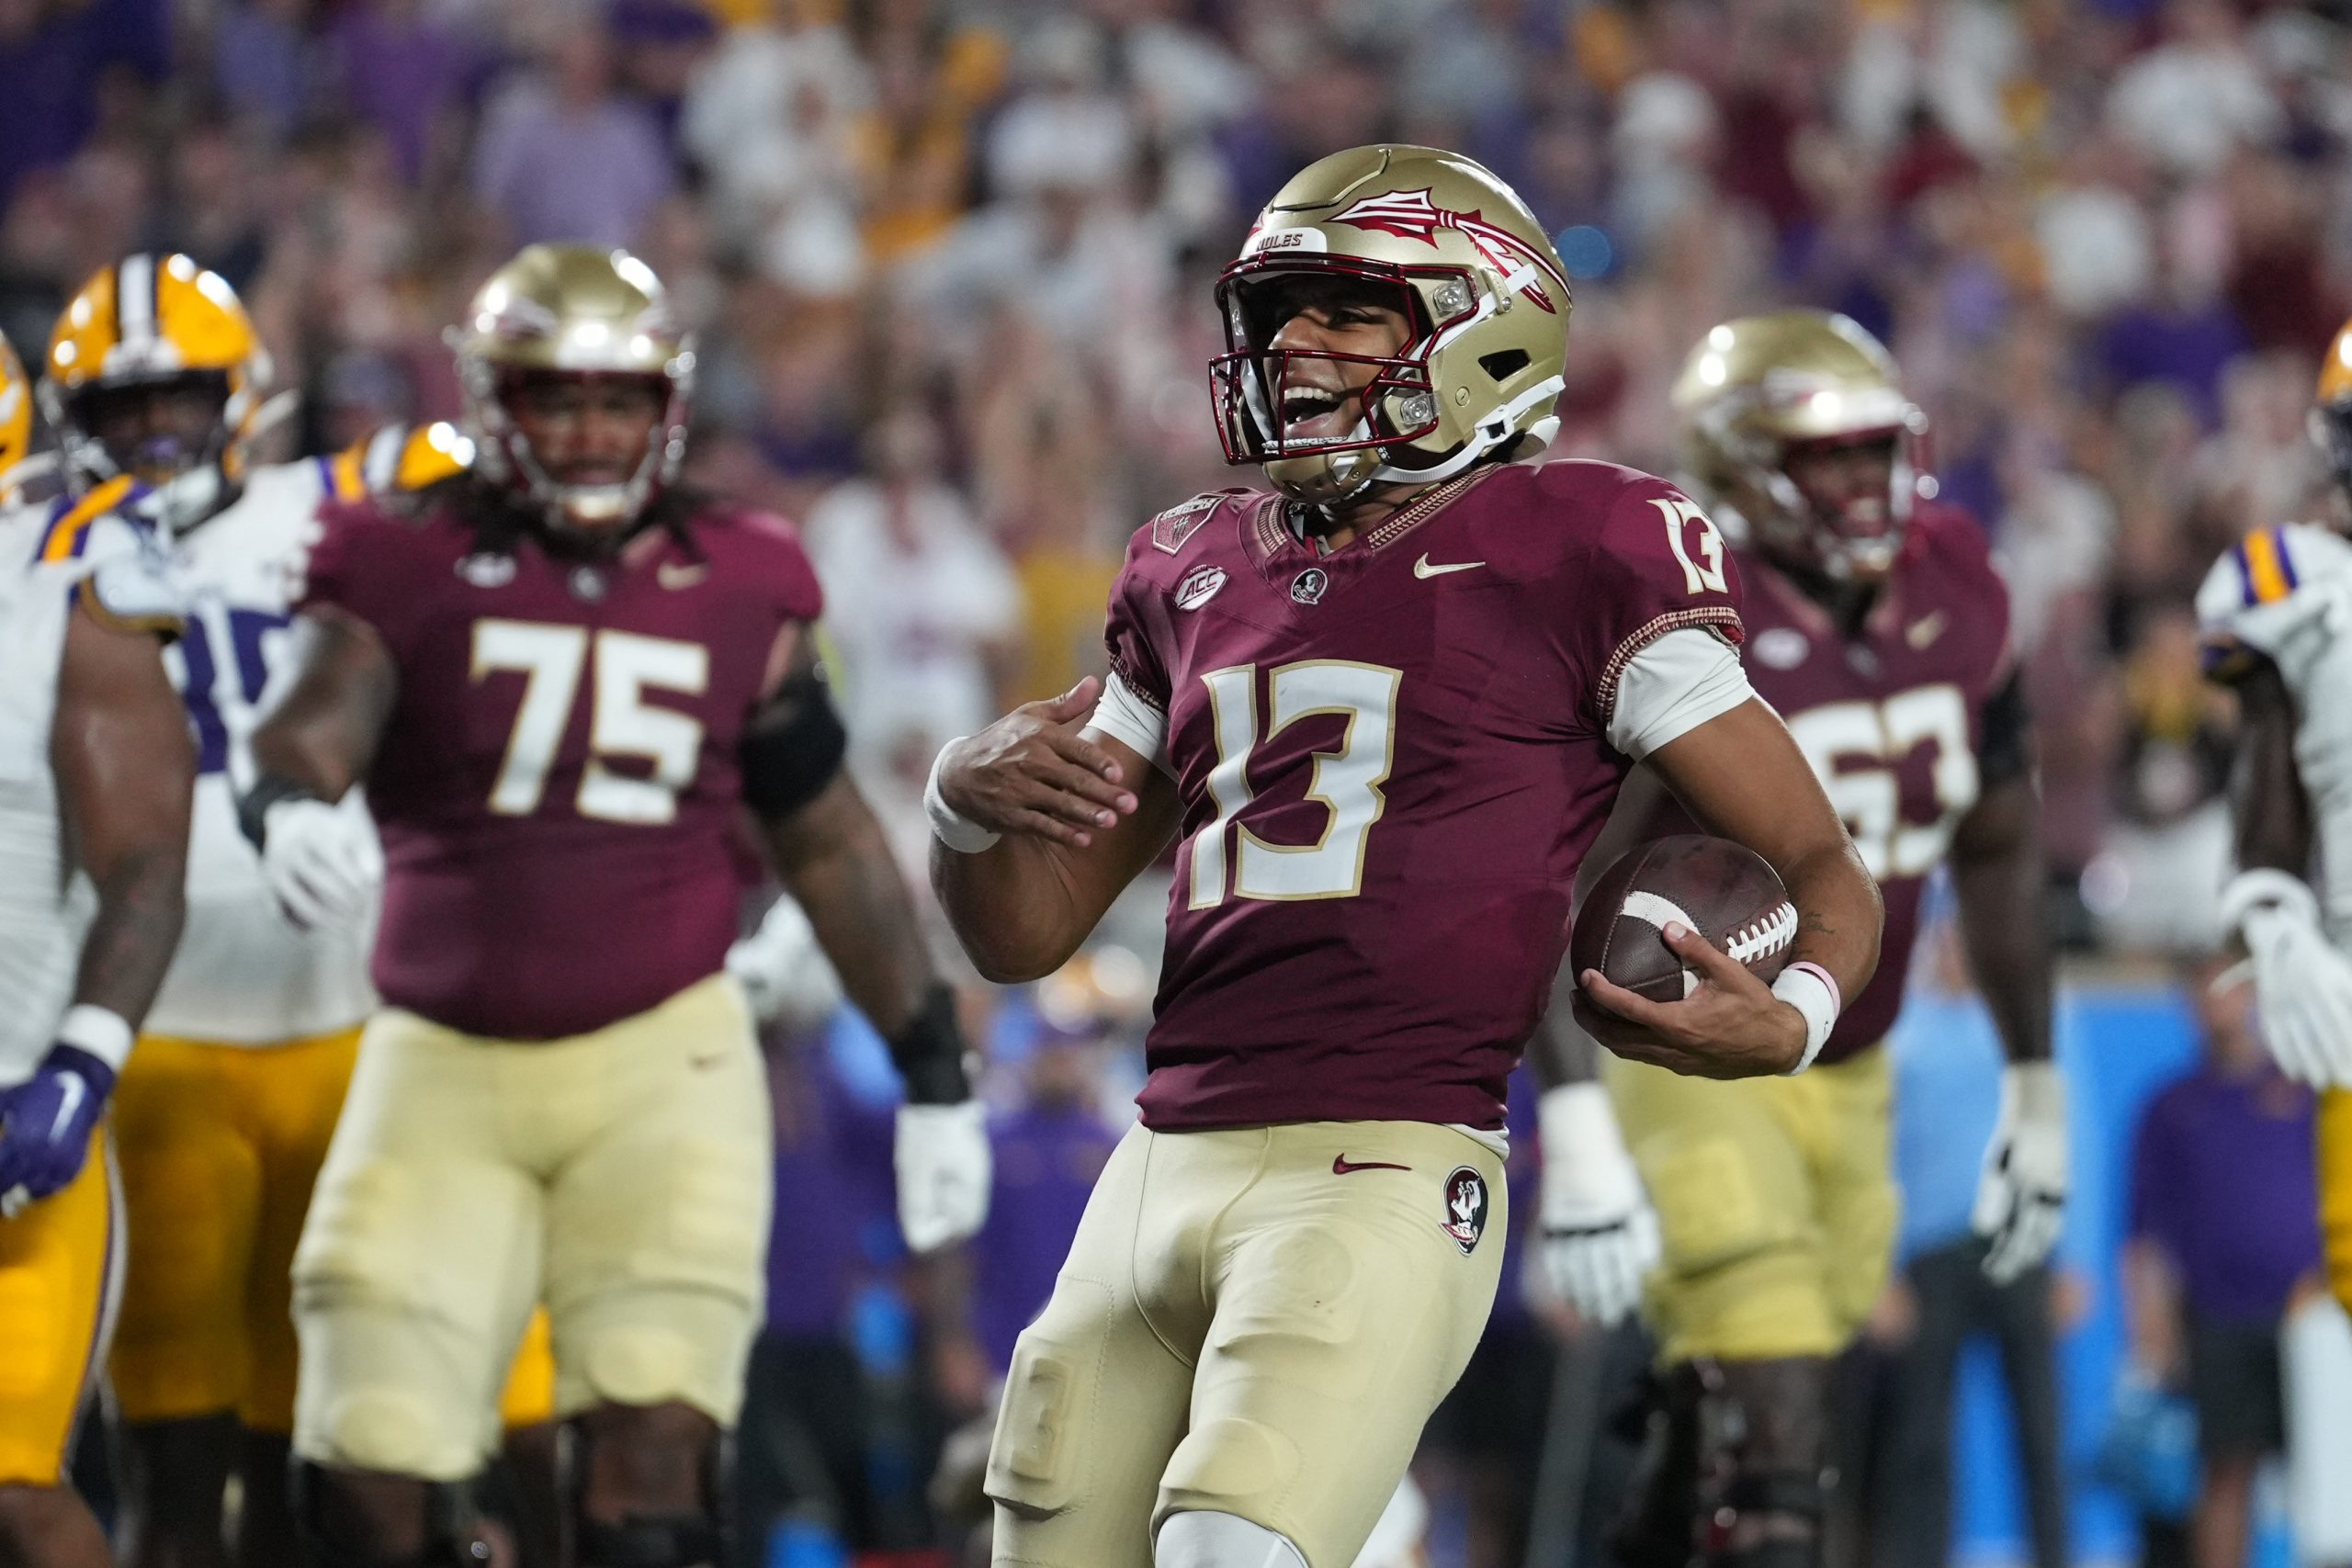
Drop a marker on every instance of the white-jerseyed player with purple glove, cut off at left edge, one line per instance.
(95, 779)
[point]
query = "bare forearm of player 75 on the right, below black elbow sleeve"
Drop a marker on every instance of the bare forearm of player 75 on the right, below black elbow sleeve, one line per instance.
(834, 859)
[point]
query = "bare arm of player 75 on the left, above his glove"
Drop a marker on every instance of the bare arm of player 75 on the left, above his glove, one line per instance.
(321, 737)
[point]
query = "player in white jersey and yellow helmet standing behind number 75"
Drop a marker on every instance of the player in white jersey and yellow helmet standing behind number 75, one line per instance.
(154, 387)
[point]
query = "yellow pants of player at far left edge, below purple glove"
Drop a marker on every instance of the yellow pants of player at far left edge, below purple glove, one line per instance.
(58, 1271)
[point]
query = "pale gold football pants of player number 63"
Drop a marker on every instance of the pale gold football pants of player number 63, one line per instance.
(1775, 1200)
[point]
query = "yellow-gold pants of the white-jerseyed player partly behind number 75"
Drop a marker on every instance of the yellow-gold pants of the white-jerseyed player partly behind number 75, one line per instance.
(220, 1153)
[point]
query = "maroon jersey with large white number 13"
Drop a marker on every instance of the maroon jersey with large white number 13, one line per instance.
(1391, 763)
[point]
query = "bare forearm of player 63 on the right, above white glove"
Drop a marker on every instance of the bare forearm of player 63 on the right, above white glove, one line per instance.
(1998, 880)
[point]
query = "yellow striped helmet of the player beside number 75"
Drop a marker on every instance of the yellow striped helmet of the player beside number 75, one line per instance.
(147, 323)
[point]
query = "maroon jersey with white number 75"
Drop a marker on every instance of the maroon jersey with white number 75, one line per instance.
(559, 779)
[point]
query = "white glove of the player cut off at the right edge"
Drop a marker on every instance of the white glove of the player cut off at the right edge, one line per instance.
(2301, 981)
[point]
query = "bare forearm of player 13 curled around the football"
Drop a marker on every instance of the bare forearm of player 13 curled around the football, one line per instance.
(1744, 779)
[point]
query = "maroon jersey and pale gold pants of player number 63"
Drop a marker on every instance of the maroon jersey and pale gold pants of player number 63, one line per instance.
(1775, 1195)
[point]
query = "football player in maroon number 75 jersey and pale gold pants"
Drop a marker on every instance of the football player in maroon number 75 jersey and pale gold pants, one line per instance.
(563, 681)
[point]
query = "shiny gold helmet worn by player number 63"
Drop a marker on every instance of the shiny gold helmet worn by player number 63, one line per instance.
(1768, 387)
